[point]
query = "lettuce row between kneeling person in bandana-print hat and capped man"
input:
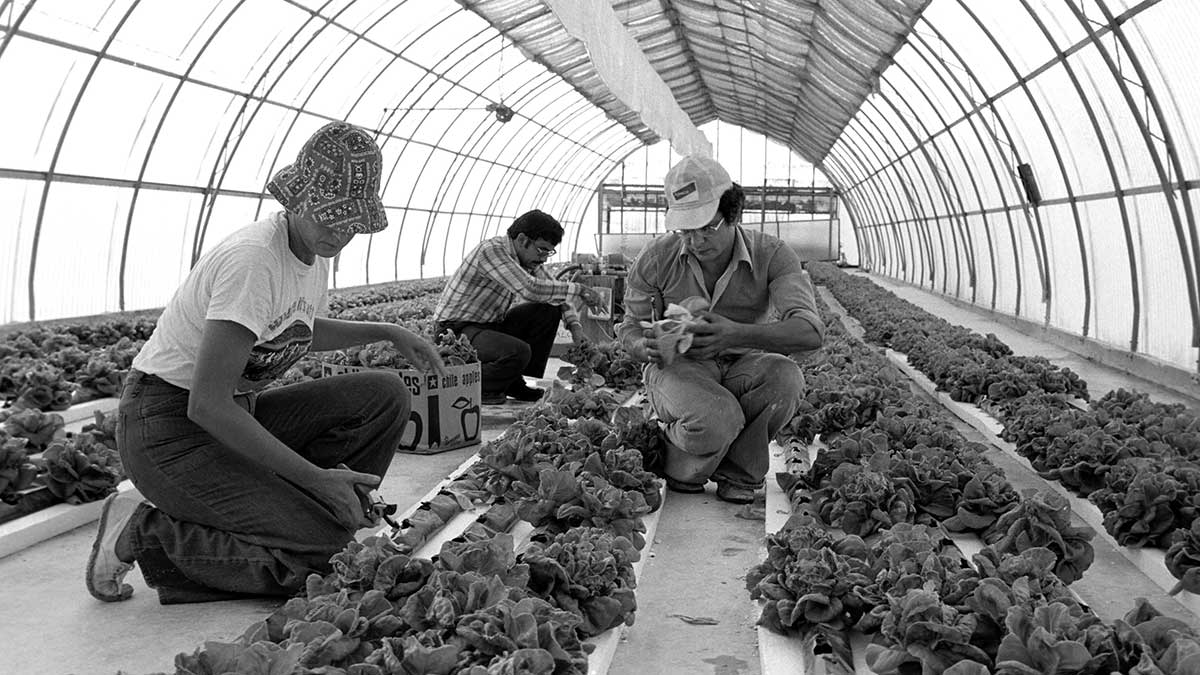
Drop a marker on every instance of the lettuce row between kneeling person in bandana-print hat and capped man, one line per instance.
(573, 469)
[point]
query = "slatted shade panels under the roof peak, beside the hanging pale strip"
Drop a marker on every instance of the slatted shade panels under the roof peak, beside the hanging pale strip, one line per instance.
(794, 71)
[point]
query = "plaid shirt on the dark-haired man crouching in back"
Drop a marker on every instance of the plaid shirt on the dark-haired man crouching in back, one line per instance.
(491, 280)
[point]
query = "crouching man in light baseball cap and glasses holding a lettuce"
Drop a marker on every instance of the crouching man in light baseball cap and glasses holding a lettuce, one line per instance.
(753, 304)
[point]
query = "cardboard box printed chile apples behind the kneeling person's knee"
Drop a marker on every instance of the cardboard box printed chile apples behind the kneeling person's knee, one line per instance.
(446, 415)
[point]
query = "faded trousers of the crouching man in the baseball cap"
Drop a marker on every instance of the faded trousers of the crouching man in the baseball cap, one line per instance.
(722, 414)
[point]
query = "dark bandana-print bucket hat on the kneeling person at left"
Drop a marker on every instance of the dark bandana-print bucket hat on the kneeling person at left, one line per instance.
(338, 174)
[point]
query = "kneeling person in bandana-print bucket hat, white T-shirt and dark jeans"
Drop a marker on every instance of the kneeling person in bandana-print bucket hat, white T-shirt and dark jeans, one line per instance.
(249, 491)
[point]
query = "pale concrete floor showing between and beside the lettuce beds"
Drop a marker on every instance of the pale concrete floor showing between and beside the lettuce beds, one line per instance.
(695, 571)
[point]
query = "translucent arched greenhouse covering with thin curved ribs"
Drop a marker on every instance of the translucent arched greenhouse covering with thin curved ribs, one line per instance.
(1035, 158)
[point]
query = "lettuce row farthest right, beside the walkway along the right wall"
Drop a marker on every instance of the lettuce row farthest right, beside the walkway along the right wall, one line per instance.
(1138, 461)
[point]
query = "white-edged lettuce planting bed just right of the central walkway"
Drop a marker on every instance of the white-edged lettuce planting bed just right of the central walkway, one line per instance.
(941, 629)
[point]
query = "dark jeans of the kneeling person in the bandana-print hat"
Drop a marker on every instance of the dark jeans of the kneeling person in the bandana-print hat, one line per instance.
(224, 527)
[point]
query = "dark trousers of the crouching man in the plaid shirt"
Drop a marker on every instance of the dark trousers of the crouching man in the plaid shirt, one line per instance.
(519, 345)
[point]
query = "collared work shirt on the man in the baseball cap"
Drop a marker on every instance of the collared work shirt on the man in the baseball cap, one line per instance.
(764, 283)
